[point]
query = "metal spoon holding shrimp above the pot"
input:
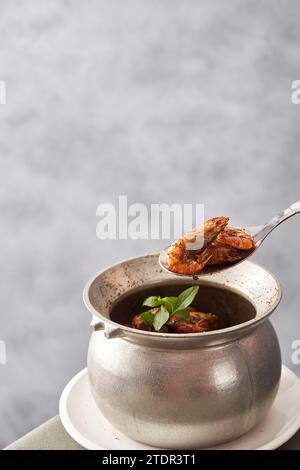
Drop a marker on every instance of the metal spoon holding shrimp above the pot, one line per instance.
(258, 233)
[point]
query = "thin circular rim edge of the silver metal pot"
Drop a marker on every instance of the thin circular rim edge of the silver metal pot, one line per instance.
(215, 334)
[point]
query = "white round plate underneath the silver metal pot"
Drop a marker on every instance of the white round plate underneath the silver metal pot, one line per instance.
(87, 426)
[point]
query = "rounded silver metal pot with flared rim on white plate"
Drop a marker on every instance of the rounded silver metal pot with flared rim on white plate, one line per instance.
(183, 391)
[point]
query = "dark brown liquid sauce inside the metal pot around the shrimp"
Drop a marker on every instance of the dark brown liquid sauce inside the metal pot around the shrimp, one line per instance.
(230, 307)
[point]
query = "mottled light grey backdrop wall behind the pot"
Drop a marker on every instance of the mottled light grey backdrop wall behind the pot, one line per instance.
(161, 100)
